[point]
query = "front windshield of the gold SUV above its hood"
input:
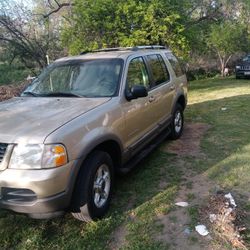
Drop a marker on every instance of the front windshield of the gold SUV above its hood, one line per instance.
(91, 78)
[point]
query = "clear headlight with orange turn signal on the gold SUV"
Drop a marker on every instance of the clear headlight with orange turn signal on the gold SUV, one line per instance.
(37, 156)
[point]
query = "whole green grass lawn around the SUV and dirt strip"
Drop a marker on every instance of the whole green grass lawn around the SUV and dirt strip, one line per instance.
(149, 191)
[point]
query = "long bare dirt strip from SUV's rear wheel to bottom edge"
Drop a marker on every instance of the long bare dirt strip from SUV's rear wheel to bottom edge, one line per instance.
(178, 231)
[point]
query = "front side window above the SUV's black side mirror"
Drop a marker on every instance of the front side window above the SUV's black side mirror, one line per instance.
(137, 73)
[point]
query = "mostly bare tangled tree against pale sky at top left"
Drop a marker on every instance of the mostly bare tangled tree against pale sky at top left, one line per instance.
(27, 35)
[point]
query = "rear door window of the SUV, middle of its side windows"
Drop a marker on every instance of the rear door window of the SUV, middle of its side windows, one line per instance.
(158, 68)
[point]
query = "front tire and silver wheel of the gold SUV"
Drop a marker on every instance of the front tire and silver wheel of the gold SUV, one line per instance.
(93, 189)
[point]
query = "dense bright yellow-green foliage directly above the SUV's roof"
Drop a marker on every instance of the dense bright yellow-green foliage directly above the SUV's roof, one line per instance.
(105, 23)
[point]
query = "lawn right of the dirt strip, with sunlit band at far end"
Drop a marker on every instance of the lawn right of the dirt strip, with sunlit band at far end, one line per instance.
(227, 144)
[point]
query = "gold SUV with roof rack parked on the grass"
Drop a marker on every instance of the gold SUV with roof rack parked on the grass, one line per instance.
(84, 119)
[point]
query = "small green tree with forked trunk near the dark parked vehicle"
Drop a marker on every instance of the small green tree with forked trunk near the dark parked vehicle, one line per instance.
(226, 39)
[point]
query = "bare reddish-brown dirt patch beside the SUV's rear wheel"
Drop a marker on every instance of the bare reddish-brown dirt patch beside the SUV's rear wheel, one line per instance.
(189, 143)
